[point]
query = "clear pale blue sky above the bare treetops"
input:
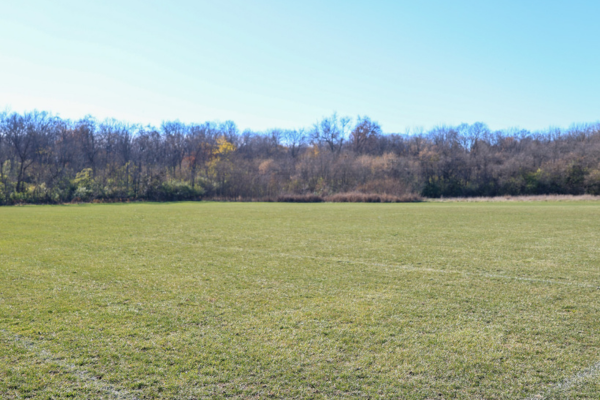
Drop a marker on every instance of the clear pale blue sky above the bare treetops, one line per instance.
(528, 64)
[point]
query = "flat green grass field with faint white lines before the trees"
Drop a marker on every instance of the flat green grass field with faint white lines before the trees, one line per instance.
(255, 300)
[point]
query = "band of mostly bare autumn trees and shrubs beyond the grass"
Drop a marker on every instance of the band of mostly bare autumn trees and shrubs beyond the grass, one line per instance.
(47, 159)
